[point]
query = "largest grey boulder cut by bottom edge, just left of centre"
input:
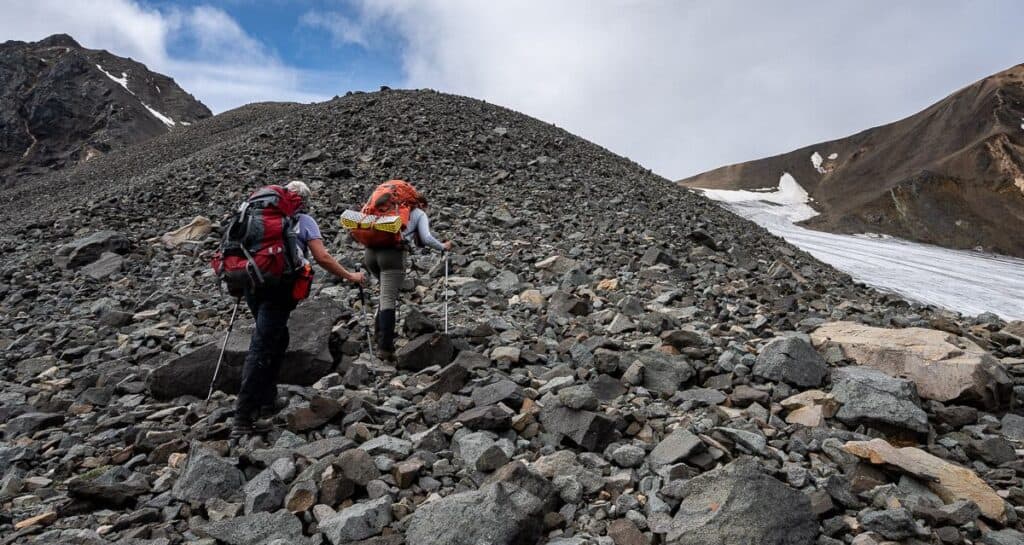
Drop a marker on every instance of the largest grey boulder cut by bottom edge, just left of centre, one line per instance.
(507, 511)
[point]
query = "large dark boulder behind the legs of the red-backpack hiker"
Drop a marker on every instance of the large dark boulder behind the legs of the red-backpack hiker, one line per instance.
(308, 360)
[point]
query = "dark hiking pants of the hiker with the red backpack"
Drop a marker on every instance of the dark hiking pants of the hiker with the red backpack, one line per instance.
(267, 351)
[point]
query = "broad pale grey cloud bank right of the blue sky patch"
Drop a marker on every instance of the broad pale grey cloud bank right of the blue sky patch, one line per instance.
(685, 88)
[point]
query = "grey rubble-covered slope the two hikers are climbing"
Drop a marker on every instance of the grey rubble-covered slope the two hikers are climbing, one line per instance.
(625, 363)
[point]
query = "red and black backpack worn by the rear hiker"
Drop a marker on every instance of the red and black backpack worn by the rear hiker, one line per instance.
(260, 247)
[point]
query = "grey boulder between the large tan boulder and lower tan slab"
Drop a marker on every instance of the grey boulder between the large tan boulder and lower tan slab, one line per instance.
(873, 398)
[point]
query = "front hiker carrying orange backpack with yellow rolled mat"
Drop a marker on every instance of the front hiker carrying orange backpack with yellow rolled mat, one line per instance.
(394, 220)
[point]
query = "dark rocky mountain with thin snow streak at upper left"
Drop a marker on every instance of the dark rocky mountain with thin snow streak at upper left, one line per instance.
(62, 105)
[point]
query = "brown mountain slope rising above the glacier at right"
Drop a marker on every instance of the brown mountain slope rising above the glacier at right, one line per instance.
(952, 176)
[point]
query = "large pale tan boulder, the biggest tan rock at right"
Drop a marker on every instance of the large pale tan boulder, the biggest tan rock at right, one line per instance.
(944, 366)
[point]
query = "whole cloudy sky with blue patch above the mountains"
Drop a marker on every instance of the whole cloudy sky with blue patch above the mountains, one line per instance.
(681, 88)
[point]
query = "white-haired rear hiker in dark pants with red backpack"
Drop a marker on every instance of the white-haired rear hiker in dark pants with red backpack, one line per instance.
(265, 258)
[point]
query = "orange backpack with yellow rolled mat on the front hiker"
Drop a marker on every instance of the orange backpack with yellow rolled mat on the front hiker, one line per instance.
(380, 223)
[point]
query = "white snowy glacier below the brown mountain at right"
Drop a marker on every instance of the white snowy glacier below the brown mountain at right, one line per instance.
(967, 282)
